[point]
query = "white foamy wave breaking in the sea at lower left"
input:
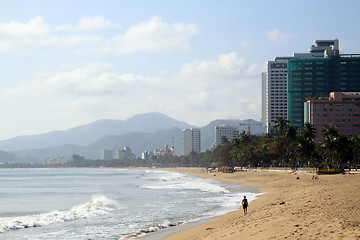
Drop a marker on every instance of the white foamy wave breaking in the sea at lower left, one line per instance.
(100, 205)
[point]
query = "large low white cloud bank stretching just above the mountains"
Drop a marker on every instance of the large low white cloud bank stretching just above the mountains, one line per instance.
(199, 92)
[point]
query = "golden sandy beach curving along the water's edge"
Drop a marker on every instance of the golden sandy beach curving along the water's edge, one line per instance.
(294, 206)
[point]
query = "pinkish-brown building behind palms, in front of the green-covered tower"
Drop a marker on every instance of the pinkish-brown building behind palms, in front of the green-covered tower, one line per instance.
(341, 109)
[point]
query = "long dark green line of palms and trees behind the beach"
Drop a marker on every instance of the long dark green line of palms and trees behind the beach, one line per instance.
(291, 147)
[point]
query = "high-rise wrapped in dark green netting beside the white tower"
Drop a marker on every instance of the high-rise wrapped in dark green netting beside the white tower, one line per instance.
(317, 77)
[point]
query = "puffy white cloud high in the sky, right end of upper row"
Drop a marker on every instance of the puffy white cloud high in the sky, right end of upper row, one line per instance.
(153, 35)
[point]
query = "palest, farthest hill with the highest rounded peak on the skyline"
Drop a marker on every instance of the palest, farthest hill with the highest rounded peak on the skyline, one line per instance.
(87, 134)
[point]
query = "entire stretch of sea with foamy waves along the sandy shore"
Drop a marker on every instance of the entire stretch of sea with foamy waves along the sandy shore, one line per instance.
(107, 203)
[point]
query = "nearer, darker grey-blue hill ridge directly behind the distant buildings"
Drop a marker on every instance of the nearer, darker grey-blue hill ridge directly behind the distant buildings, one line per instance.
(137, 141)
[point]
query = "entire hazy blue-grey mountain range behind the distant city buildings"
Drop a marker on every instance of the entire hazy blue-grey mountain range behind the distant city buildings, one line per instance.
(141, 132)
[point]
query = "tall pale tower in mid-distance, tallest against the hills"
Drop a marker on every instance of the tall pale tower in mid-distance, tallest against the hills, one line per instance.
(191, 141)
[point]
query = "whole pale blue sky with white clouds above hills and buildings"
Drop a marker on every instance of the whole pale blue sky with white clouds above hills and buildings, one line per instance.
(68, 63)
